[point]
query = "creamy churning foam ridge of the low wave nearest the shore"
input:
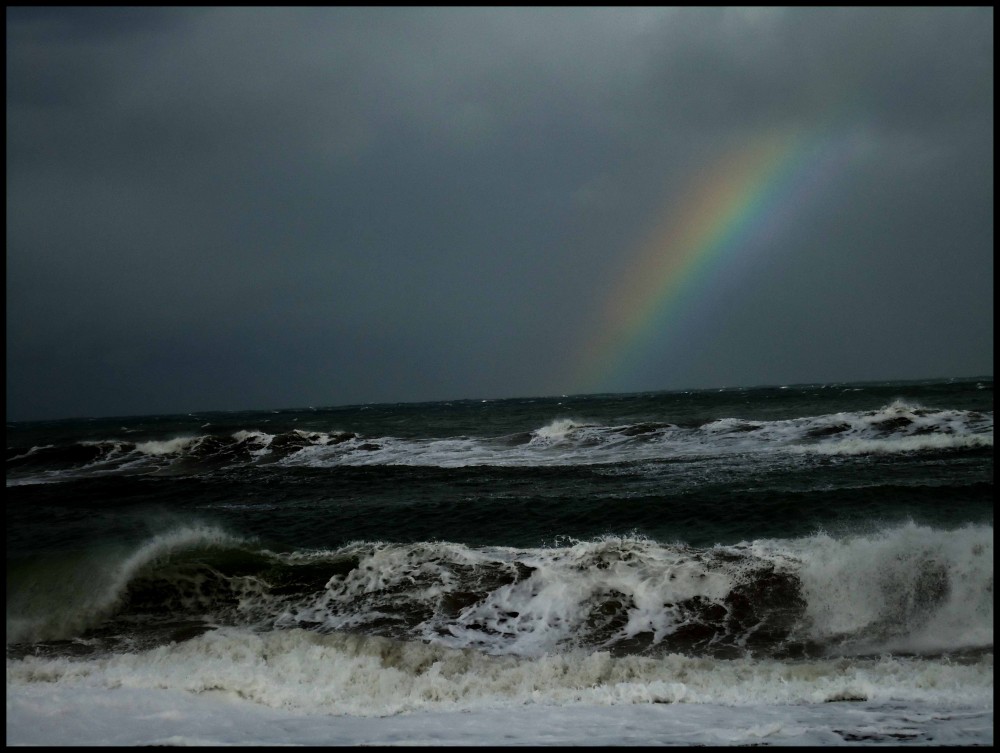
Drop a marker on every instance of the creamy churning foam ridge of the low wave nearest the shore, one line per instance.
(344, 673)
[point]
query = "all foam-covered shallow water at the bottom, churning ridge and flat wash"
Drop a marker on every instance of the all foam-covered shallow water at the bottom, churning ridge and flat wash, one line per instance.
(296, 686)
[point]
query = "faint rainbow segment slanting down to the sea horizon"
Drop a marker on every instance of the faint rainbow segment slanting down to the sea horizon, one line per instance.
(733, 208)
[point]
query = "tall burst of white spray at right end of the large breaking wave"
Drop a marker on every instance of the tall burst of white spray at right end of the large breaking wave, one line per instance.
(907, 588)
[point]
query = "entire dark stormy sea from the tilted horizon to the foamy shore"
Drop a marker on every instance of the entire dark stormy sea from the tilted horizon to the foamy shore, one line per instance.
(787, 565)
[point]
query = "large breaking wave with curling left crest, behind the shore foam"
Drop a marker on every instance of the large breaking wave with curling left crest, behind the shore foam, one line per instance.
(907, 588)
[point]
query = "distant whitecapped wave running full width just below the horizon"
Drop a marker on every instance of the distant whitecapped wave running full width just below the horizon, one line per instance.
(899, 427)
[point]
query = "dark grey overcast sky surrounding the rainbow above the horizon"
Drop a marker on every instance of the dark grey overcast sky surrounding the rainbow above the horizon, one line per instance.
(224, 209)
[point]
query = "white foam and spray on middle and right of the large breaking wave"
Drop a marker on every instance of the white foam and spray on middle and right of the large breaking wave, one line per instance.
(905, 588)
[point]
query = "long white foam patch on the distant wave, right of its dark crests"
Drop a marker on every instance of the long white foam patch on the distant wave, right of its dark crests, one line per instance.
(897, 428)
